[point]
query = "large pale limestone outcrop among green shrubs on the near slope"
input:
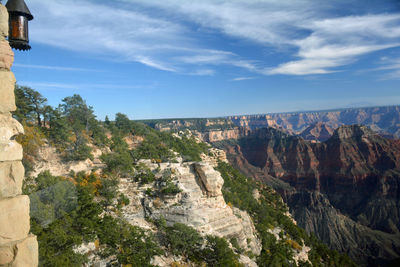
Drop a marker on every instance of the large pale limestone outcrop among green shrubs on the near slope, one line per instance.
(200, 204)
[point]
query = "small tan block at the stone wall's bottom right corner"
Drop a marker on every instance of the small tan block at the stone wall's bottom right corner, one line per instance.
(26, 253)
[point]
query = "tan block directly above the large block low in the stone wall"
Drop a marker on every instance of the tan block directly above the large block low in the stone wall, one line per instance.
(11, 177)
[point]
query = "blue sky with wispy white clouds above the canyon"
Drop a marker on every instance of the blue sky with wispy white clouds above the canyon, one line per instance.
(207, 58)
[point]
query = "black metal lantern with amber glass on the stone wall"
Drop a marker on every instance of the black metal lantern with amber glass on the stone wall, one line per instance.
(19, 14)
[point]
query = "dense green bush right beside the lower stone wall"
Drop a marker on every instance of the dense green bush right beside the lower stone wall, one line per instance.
(63, 216)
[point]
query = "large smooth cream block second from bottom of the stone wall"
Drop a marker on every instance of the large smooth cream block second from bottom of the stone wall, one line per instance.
(14, 219)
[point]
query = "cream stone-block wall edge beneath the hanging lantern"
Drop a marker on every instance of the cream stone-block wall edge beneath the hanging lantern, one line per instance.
(18, 248)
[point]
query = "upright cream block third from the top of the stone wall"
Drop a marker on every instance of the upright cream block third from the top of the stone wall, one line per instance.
(7, 85)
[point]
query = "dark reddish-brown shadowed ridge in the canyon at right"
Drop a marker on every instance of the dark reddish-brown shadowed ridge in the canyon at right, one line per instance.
(345, 189)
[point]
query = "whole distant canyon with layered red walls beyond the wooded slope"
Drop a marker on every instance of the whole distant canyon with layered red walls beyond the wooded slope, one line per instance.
(337, 170)
